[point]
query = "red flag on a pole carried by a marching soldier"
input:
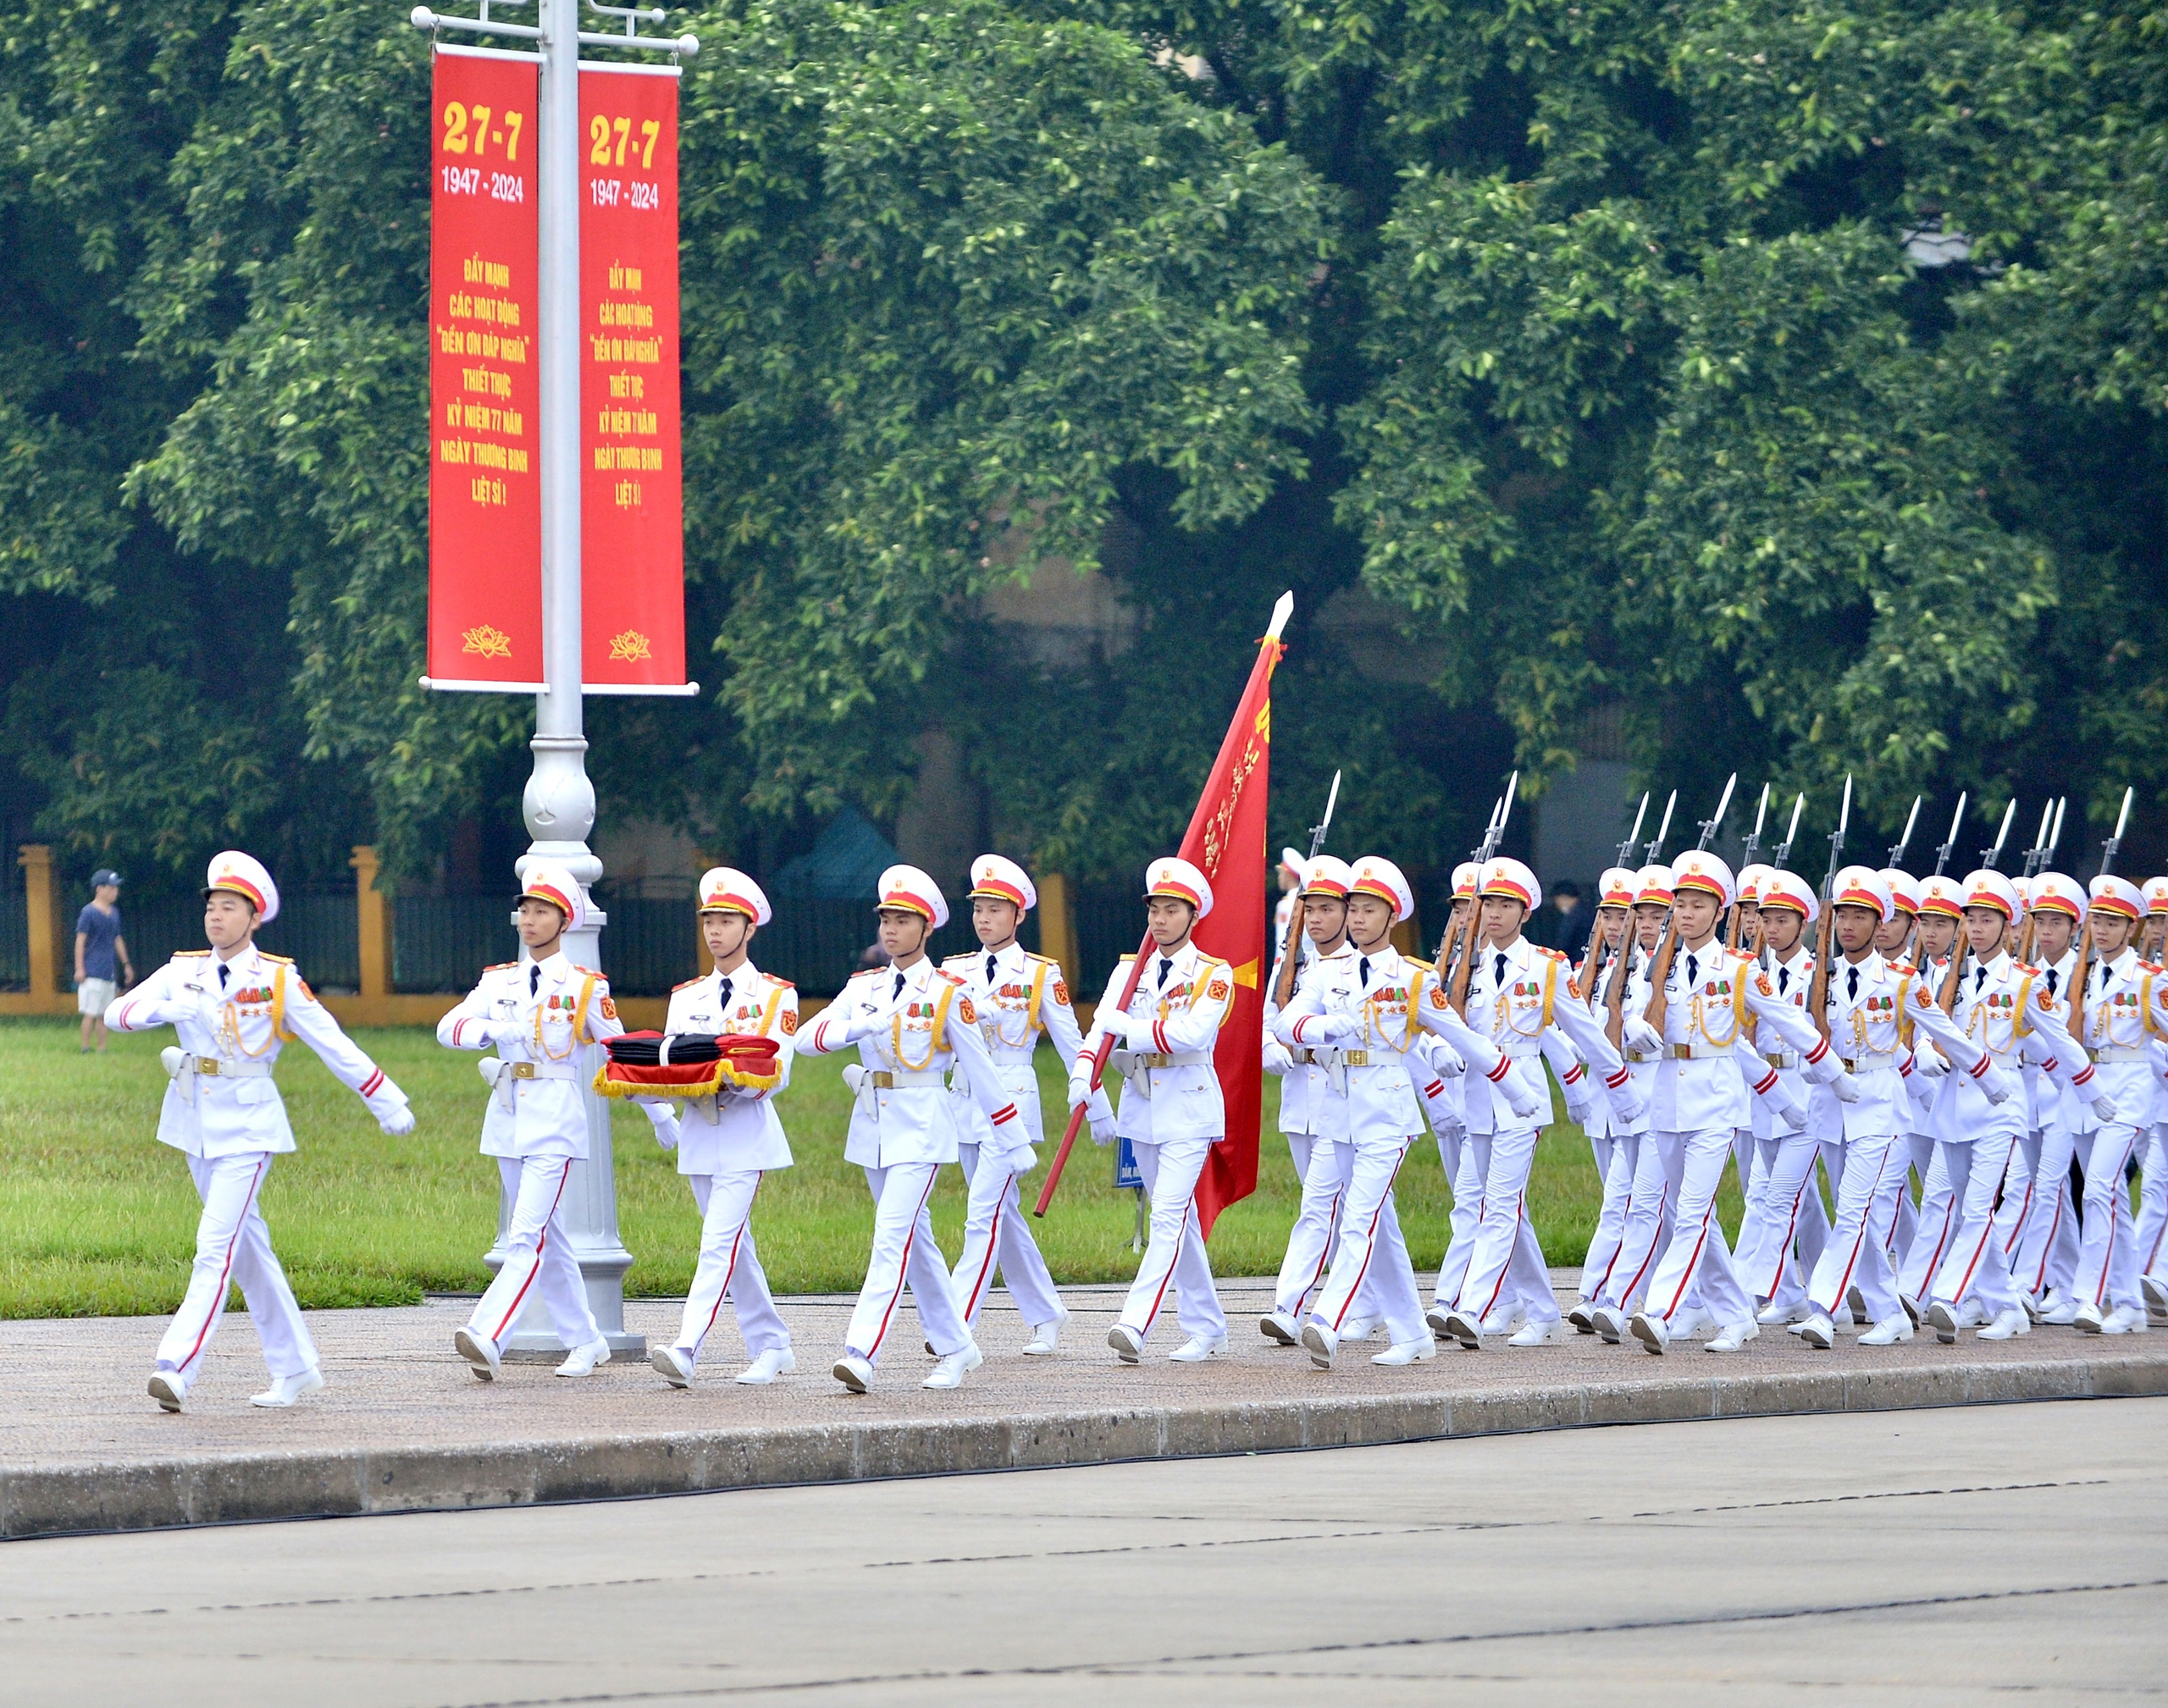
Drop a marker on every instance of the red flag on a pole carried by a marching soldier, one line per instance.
(1226, 842)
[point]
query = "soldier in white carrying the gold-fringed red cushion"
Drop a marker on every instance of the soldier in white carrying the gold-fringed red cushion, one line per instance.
(730, 1141)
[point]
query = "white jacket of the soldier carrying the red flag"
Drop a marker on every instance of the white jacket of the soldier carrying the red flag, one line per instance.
(1170, 1087)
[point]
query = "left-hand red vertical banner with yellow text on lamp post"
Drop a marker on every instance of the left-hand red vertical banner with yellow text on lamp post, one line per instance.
(485, 380)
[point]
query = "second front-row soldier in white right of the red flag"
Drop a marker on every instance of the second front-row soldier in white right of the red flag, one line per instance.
(1517, 994)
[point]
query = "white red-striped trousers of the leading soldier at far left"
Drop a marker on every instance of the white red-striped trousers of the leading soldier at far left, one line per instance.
(233, 1247)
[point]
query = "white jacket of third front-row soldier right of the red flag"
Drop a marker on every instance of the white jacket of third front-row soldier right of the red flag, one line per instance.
(1720, 1018)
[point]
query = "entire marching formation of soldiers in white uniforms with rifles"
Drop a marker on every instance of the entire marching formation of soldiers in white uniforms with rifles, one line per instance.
(2000, 1041)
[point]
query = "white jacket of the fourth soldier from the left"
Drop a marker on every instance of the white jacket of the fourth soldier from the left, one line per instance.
(909, 1026)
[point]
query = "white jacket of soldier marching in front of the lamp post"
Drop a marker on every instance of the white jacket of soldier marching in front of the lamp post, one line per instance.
(545, 1020)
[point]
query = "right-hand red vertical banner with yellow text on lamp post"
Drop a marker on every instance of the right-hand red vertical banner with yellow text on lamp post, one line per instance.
(632, 489)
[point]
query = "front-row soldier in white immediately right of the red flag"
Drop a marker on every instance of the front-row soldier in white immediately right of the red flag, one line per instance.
(1367, 1009)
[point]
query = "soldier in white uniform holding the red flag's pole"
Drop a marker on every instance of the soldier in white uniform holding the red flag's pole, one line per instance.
(1172, 1107)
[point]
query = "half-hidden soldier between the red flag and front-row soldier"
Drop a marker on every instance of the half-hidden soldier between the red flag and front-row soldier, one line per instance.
(1313, 1115)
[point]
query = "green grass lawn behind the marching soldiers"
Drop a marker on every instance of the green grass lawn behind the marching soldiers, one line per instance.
(99, 1219)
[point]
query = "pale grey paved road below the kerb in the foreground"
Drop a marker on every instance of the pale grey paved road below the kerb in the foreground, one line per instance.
(1907, 1557)
